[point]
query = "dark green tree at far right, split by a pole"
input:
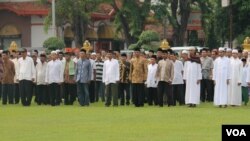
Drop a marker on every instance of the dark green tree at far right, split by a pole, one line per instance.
(240, 11)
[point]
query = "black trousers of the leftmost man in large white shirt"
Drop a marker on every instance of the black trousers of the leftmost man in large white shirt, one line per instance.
(25, 88)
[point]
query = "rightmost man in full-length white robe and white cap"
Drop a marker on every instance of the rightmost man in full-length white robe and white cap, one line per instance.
(234, 93)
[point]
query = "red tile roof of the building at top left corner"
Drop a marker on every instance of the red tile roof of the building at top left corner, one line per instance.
(25, 8)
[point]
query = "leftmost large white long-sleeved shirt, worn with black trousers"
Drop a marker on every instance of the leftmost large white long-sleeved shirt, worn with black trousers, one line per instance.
(26, 70)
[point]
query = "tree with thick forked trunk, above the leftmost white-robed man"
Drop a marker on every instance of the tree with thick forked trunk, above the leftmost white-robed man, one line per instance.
(177, 12)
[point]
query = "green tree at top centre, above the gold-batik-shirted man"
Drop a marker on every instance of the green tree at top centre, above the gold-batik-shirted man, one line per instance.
(130, 17)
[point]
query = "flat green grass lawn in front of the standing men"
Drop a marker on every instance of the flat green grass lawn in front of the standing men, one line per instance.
(99, 123)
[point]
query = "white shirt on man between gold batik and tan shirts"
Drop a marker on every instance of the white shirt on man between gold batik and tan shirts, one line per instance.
(151, 79)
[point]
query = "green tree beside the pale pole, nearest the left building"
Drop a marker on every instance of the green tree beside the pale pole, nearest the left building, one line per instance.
(76, 12)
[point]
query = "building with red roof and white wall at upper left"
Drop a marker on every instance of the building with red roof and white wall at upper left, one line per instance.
(22, 22)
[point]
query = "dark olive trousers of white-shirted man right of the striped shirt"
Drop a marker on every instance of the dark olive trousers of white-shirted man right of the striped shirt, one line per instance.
(112, 94)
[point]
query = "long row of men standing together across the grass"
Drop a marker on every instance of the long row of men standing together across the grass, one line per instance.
(220, 76)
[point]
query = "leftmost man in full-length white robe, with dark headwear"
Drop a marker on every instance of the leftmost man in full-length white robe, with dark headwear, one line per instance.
(192, 75)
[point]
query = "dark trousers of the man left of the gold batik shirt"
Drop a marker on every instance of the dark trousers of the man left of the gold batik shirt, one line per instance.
(124, 90)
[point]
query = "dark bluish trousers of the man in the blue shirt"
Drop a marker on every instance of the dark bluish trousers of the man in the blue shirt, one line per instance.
(83, 93)
